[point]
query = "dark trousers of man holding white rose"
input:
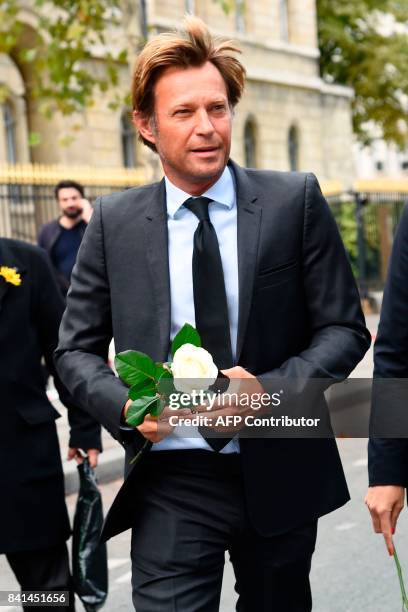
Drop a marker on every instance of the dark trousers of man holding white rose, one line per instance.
(190, 509)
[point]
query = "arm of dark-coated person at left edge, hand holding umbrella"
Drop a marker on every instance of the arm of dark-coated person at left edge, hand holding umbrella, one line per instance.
(85, 432)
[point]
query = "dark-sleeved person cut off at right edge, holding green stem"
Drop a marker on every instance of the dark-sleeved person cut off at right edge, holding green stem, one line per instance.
(388, 455)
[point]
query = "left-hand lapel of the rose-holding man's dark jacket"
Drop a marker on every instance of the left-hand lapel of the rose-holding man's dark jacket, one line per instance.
(155, 227)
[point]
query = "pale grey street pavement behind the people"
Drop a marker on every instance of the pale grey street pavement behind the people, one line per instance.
(351, 569)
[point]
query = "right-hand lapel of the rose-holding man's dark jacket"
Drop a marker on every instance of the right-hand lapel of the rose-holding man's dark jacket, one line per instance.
(249, 215)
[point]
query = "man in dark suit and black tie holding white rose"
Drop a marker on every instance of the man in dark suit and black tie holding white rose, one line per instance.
(277, 300)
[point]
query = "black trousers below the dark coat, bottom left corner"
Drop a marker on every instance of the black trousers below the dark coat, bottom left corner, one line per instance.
(44, 570)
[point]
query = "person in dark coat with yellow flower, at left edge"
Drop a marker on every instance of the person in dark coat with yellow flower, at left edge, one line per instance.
(34, 522)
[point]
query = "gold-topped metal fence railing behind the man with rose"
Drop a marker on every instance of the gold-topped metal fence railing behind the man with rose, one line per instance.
(367, 216)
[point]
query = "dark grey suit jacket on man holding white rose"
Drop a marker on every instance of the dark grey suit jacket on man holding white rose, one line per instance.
(299, 317)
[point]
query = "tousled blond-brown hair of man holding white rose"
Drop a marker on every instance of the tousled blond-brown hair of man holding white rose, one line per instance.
(193, 45)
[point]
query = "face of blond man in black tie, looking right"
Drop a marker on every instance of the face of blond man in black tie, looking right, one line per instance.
(191, 127)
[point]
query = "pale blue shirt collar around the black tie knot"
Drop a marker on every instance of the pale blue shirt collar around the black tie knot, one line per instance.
(222, 192)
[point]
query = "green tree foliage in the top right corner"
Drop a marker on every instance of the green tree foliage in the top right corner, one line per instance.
(364, 45)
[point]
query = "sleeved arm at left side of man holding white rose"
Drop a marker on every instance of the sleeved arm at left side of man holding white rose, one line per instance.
(86, 332)
